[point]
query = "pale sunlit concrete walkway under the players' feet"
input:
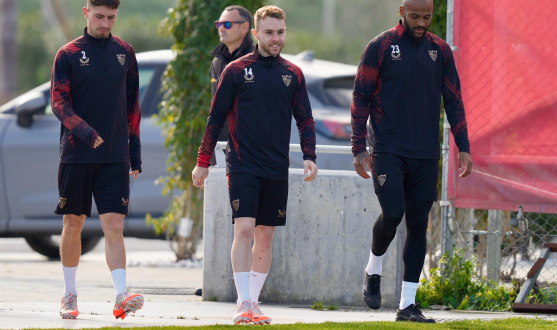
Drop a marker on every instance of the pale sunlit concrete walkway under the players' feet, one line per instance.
(31, 289)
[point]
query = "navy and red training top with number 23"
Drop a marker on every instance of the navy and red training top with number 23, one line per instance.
(399, 86)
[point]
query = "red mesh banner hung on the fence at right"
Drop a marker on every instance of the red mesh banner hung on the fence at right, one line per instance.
(507, 62)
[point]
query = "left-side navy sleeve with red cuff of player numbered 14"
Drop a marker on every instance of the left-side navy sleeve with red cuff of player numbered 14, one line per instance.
(222, 102)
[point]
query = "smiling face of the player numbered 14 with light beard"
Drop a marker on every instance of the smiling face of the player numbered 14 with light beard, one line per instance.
(271, 35)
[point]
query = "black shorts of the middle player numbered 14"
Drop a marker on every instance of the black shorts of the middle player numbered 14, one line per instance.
(264, 199)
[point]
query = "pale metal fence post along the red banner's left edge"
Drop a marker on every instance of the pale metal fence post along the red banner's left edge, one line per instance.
(447, 239)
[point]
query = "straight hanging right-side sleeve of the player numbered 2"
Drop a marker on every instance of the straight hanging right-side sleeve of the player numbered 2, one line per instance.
(134, 113)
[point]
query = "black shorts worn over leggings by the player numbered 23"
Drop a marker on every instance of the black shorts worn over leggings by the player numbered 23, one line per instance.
(416, 177)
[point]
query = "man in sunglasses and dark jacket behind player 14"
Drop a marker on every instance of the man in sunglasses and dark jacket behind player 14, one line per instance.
(234, 26)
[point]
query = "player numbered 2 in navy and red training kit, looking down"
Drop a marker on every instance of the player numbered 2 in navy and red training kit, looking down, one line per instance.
(94, 93)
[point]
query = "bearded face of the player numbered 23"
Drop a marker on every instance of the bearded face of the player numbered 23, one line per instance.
(416, 17)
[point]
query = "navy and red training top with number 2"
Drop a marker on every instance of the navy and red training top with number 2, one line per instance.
(95, 92)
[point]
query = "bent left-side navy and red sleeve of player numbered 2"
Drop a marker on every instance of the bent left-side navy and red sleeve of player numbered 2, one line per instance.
(61, 101)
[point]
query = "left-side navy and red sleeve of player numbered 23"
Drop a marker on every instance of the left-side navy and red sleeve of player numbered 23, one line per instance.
(364, 88)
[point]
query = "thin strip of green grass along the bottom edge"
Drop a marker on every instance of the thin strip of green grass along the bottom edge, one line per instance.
(510, 324)
